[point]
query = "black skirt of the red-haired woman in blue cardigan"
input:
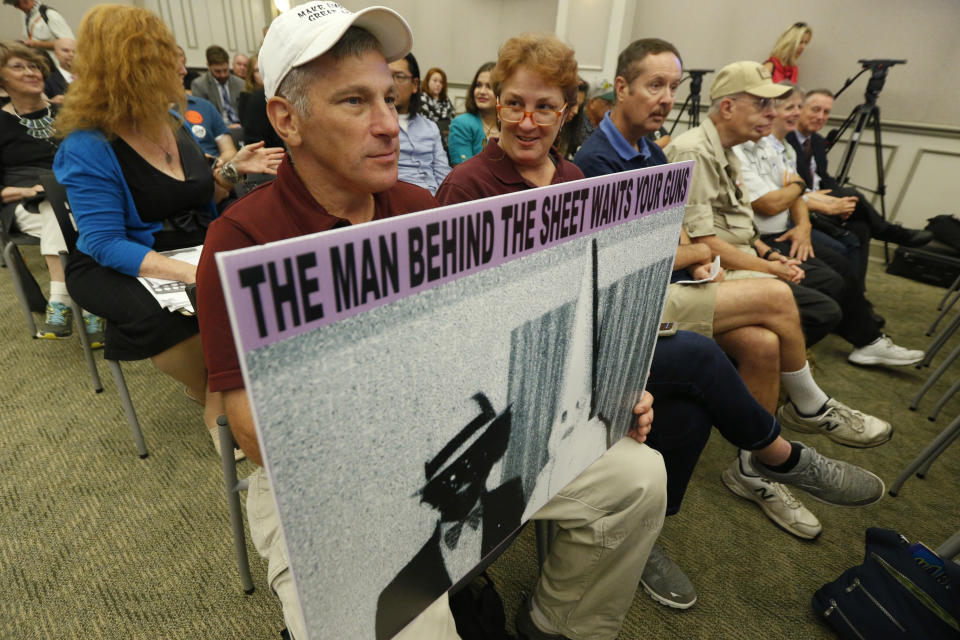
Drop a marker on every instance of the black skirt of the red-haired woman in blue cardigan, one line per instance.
(137, 326)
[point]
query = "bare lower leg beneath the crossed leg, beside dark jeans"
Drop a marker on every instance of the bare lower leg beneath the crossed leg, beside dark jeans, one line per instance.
(757, 352)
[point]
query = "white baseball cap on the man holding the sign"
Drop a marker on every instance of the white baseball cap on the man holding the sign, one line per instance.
(307, 31)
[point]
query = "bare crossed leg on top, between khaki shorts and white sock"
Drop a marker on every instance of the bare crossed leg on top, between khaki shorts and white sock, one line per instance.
(766, 303)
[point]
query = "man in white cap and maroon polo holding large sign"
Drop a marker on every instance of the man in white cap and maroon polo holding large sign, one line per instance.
(331, 97)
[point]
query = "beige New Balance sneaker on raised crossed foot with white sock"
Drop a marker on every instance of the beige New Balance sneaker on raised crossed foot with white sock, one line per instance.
(838, 422)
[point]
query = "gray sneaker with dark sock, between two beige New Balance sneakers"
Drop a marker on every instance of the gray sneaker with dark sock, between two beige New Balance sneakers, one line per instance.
(831, 481)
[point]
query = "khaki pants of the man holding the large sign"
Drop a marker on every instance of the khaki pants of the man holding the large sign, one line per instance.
(607, 519)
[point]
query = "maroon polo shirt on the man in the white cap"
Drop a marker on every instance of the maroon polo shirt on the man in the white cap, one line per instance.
(278, 210)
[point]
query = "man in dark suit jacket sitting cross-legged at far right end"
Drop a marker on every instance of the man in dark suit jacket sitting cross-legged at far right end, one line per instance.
(843, 206)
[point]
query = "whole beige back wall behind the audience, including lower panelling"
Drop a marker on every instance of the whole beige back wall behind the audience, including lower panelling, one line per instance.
(921, 165)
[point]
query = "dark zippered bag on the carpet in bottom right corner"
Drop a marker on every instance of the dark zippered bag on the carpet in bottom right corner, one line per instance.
(900, 591)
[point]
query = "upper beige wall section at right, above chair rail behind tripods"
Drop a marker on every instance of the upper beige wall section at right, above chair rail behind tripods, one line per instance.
(922, 31)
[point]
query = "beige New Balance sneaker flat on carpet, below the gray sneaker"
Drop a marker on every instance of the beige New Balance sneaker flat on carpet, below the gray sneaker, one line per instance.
(774, 499)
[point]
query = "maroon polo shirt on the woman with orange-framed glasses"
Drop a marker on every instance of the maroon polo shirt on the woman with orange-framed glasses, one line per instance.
(492, 173)
